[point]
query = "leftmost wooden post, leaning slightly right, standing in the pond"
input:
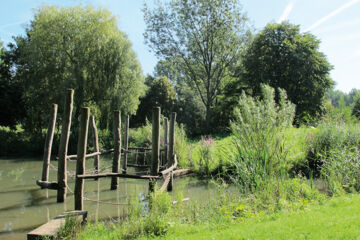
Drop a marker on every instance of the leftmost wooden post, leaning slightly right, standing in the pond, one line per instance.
(48, 144)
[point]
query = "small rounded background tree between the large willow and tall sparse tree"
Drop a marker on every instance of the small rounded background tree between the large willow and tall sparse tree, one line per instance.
(159, 94)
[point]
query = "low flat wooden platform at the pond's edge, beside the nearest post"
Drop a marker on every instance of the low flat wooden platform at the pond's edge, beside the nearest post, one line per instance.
(50, 229)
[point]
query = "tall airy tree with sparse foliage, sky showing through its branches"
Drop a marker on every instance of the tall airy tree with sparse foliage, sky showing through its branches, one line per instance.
(204, 37)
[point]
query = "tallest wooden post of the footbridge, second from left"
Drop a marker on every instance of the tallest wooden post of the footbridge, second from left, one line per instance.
(63, 147)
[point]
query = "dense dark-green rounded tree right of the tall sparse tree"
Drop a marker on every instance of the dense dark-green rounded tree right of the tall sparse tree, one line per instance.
(283, 57)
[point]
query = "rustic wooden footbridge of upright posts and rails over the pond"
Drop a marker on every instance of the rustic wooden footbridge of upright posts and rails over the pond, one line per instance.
(163, 164)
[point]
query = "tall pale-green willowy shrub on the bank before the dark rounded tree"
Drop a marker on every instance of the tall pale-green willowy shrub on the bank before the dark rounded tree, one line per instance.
(260, 151)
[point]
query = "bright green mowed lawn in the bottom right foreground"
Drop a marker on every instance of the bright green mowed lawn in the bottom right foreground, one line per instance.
(338, 218)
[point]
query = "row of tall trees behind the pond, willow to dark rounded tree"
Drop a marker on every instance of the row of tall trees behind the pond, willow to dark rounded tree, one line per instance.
(208, 55)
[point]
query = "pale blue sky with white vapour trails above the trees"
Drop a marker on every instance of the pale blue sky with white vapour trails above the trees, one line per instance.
(335, 22)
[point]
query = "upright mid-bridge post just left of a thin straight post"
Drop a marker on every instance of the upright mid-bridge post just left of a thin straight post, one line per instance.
(117, 149)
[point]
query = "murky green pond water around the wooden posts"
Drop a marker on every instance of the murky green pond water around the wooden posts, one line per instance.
(24, 206)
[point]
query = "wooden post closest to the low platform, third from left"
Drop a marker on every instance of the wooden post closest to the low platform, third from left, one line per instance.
(81, 153)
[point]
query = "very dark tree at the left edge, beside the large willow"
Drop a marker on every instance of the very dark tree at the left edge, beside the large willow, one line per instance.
(12, 108)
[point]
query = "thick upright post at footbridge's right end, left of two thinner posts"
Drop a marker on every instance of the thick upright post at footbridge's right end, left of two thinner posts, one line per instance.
(155, 160)
